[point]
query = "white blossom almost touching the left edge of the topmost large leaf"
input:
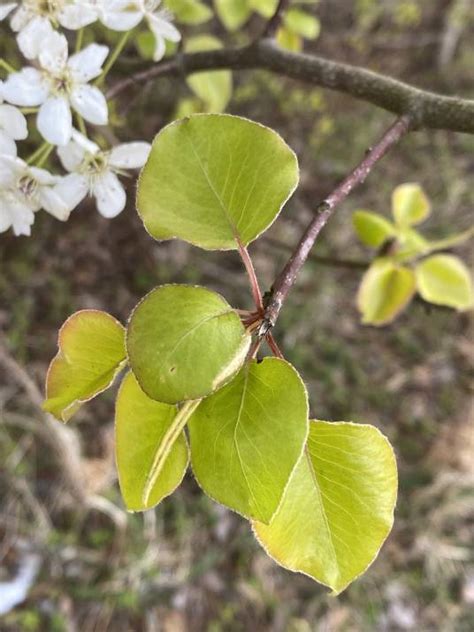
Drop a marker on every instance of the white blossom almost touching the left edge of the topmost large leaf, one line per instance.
(94, 172)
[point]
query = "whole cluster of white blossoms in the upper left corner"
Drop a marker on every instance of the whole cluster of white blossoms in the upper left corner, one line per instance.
(54, 87)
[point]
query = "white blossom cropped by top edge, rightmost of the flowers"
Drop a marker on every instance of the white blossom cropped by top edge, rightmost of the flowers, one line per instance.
(123, 15)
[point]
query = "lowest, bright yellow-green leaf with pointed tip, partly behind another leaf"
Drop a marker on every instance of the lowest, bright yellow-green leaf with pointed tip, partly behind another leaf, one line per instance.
(338, 508)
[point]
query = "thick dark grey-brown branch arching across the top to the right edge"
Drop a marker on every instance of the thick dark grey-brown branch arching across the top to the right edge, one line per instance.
(426, 109)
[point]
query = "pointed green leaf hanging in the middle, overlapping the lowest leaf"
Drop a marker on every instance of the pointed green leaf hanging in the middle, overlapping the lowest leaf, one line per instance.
(247, 438)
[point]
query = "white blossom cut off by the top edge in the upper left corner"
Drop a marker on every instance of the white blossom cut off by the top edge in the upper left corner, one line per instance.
(33, 18)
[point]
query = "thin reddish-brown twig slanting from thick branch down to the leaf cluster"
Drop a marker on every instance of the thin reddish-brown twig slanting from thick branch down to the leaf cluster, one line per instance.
(287, 276)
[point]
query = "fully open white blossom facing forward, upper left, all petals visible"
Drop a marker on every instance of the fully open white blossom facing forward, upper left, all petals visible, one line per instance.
(60, 84)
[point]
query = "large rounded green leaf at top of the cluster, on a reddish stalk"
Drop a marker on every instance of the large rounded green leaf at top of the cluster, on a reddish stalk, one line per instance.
(213, 193)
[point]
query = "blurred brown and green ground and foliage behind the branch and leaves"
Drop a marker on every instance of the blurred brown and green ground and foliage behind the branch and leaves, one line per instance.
(190, 564)
